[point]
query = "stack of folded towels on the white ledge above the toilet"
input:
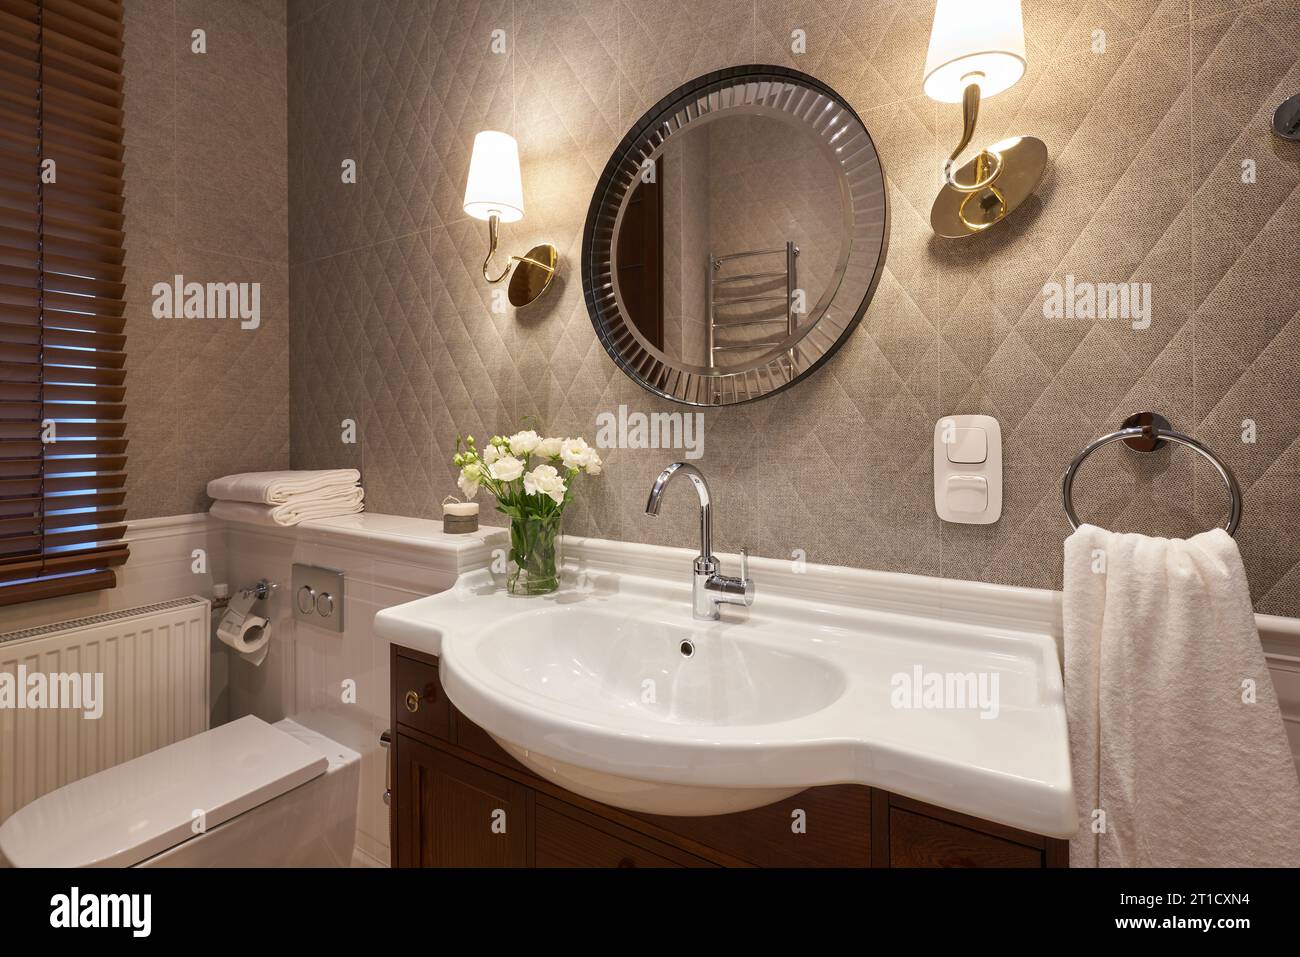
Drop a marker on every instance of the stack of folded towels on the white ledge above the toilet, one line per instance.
(287, 499)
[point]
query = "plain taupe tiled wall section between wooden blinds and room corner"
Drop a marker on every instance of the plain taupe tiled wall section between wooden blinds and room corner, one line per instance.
(207, 197)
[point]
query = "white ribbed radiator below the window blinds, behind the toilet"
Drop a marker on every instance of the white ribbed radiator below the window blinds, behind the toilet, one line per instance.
(154, 661)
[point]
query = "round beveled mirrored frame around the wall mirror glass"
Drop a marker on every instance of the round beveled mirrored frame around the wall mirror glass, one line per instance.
(756, 89)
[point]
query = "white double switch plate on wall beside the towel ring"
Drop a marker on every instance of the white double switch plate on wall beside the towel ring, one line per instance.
(956, 482)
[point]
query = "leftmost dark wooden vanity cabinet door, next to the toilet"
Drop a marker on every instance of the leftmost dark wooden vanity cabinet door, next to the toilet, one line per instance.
(453, 815)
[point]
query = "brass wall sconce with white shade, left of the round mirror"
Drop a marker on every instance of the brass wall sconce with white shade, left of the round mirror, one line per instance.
(495, 192)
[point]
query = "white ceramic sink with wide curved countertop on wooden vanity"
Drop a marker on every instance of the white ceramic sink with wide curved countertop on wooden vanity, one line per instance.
(593, 688)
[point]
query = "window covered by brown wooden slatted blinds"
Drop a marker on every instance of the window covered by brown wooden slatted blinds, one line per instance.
(63, 428)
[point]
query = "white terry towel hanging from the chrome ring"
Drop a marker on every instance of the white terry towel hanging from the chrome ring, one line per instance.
(1160, 659)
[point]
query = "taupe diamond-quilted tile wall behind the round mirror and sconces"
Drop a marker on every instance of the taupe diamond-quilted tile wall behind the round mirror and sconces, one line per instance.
(392, 324)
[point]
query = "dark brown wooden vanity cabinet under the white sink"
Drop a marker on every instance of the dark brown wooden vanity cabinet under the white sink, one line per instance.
(460, 800)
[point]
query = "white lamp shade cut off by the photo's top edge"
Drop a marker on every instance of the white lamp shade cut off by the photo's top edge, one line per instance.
(986, 37)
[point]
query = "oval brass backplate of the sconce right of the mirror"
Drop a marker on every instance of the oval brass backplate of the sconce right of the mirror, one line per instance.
(963, 214)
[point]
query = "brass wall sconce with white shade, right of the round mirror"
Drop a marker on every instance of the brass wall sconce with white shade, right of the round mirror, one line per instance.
(977, 50)
